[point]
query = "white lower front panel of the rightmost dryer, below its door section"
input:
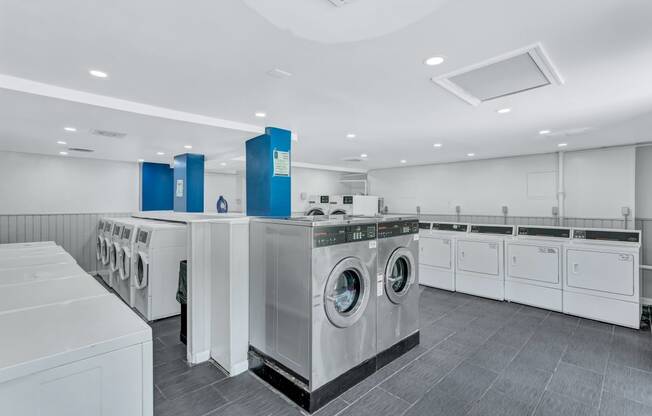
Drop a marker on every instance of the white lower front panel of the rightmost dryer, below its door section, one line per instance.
(603, 309)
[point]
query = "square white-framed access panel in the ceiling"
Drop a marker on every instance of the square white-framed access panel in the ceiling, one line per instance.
(515, 72)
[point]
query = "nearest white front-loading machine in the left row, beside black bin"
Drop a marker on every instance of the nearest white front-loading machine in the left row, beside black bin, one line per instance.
(160, 249)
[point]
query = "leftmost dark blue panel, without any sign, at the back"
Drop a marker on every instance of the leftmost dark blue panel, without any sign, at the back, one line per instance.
(156, 187)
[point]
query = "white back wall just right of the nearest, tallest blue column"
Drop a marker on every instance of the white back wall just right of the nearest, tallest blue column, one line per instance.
(312, 182)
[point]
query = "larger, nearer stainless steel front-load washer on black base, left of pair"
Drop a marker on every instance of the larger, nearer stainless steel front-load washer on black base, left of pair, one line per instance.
(313, 305)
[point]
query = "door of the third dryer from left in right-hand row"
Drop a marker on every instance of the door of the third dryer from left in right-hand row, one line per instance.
(534, 262)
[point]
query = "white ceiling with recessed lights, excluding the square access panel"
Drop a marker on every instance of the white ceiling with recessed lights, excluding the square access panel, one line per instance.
(358, 71)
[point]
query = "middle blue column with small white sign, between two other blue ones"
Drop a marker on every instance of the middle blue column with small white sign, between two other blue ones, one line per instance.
(188, 185)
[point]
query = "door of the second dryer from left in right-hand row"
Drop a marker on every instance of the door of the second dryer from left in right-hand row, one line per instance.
(478, 257)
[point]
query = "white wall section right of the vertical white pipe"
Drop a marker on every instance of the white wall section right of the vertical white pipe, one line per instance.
(600, 182)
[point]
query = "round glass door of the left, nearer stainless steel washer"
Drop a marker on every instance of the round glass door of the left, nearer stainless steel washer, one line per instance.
(347, 292)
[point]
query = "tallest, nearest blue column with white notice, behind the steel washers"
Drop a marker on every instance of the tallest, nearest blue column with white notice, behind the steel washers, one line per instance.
(268, 174)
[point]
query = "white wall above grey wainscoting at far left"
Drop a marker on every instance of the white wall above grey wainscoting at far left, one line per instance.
(40, 184)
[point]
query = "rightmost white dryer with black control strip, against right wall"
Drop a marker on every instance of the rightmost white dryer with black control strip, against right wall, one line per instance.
(601, 277)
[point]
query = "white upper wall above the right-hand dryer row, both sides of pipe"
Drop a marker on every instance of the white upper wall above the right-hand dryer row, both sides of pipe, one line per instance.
(598, 184)
